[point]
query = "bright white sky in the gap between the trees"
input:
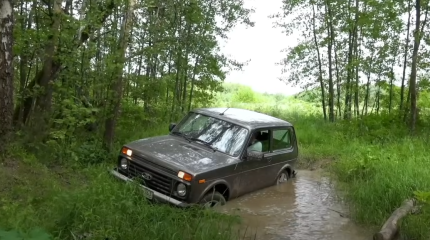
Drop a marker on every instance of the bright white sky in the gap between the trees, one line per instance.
(262, 45)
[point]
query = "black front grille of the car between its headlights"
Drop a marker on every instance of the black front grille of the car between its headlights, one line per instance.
(159, 182)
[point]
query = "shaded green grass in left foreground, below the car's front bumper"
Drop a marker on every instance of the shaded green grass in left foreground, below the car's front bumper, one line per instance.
(103, 207)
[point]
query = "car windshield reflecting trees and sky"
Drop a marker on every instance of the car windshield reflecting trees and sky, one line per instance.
(218, 134)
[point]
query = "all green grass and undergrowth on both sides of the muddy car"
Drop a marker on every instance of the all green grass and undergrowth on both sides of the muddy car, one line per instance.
(64, 190)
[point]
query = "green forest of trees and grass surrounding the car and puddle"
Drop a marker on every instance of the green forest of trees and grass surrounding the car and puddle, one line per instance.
(79, 78)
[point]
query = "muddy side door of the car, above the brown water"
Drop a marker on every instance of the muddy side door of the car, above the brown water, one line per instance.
(252, 173)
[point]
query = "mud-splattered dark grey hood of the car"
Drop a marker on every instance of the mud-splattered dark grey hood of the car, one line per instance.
(178, 154)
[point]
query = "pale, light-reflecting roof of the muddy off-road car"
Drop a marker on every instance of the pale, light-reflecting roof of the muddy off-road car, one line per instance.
(244, 117)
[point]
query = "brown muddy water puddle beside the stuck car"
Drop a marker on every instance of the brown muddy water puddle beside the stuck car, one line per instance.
(306, 208)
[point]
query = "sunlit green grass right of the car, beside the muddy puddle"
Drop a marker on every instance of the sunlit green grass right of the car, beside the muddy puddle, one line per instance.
(375, 163)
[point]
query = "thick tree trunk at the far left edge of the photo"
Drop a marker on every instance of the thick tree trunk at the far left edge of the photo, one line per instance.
(6, 71)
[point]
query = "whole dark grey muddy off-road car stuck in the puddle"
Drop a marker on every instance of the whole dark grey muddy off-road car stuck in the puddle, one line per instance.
(205, 158)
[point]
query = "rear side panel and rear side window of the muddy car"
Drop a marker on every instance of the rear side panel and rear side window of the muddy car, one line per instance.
(281, 152)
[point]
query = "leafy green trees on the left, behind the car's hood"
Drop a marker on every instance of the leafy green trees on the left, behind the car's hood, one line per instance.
(100, 68)
